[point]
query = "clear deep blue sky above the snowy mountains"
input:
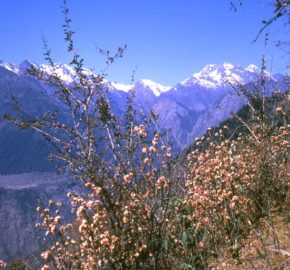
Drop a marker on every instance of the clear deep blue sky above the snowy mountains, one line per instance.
(167, 40)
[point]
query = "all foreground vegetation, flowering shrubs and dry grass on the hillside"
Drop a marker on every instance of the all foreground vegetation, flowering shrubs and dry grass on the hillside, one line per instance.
(226, 207)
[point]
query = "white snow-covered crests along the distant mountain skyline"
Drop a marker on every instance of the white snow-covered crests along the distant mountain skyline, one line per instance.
(210, 76)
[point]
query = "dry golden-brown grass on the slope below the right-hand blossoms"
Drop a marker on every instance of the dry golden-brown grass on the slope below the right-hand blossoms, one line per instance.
(267, 247)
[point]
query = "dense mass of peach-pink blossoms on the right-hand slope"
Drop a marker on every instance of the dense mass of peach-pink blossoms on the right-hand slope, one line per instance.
(232, 184)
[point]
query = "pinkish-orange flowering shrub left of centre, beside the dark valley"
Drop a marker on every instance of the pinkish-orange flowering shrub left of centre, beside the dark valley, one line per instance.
(121, 222)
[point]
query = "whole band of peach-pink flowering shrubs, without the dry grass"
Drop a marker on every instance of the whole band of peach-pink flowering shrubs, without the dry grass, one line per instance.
(151, 223)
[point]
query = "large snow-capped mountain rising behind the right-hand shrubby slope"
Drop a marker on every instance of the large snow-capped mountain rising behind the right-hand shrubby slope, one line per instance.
(208, 97)
